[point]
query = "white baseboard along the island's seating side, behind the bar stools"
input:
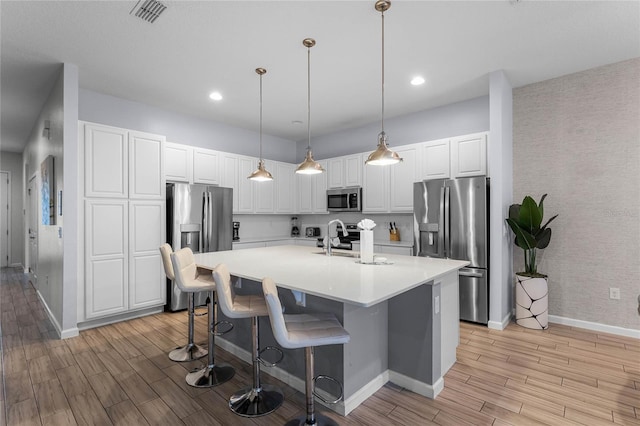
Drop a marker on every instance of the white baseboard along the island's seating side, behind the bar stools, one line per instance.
(343, 407)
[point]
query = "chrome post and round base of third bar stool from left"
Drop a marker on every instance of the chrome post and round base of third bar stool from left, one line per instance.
(260, 399)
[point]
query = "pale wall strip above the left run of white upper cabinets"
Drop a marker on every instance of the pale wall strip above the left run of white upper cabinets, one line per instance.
(179, 128)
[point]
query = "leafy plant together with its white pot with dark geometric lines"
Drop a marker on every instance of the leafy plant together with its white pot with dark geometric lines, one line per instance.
(525, 220)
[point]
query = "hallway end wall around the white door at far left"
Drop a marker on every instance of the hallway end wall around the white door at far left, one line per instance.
(12, 162)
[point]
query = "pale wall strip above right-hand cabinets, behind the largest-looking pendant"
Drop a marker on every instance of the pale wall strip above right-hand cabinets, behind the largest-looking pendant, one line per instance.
(461, 118)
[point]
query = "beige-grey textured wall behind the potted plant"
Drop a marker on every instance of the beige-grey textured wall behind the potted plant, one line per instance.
(577, 138)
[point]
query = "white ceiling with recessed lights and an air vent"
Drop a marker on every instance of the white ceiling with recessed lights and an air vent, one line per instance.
(197, 47)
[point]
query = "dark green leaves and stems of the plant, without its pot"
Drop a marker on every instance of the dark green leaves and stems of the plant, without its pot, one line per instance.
(525, 220)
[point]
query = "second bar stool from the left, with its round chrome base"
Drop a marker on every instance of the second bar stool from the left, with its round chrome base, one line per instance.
(190, 280)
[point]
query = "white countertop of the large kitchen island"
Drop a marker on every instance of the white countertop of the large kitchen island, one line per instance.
(340, 278)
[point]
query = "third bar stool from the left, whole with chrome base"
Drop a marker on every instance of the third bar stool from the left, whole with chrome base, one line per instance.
(260, 399)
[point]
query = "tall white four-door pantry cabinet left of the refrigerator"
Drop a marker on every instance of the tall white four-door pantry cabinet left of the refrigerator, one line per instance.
(124, 213)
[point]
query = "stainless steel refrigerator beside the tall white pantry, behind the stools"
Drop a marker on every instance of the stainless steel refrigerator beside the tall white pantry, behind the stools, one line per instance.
(199, 217)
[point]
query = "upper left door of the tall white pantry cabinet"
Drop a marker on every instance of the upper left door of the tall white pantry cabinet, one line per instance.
(105, 161)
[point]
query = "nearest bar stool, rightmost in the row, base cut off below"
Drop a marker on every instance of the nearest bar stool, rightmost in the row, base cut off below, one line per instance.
(305, 331)
